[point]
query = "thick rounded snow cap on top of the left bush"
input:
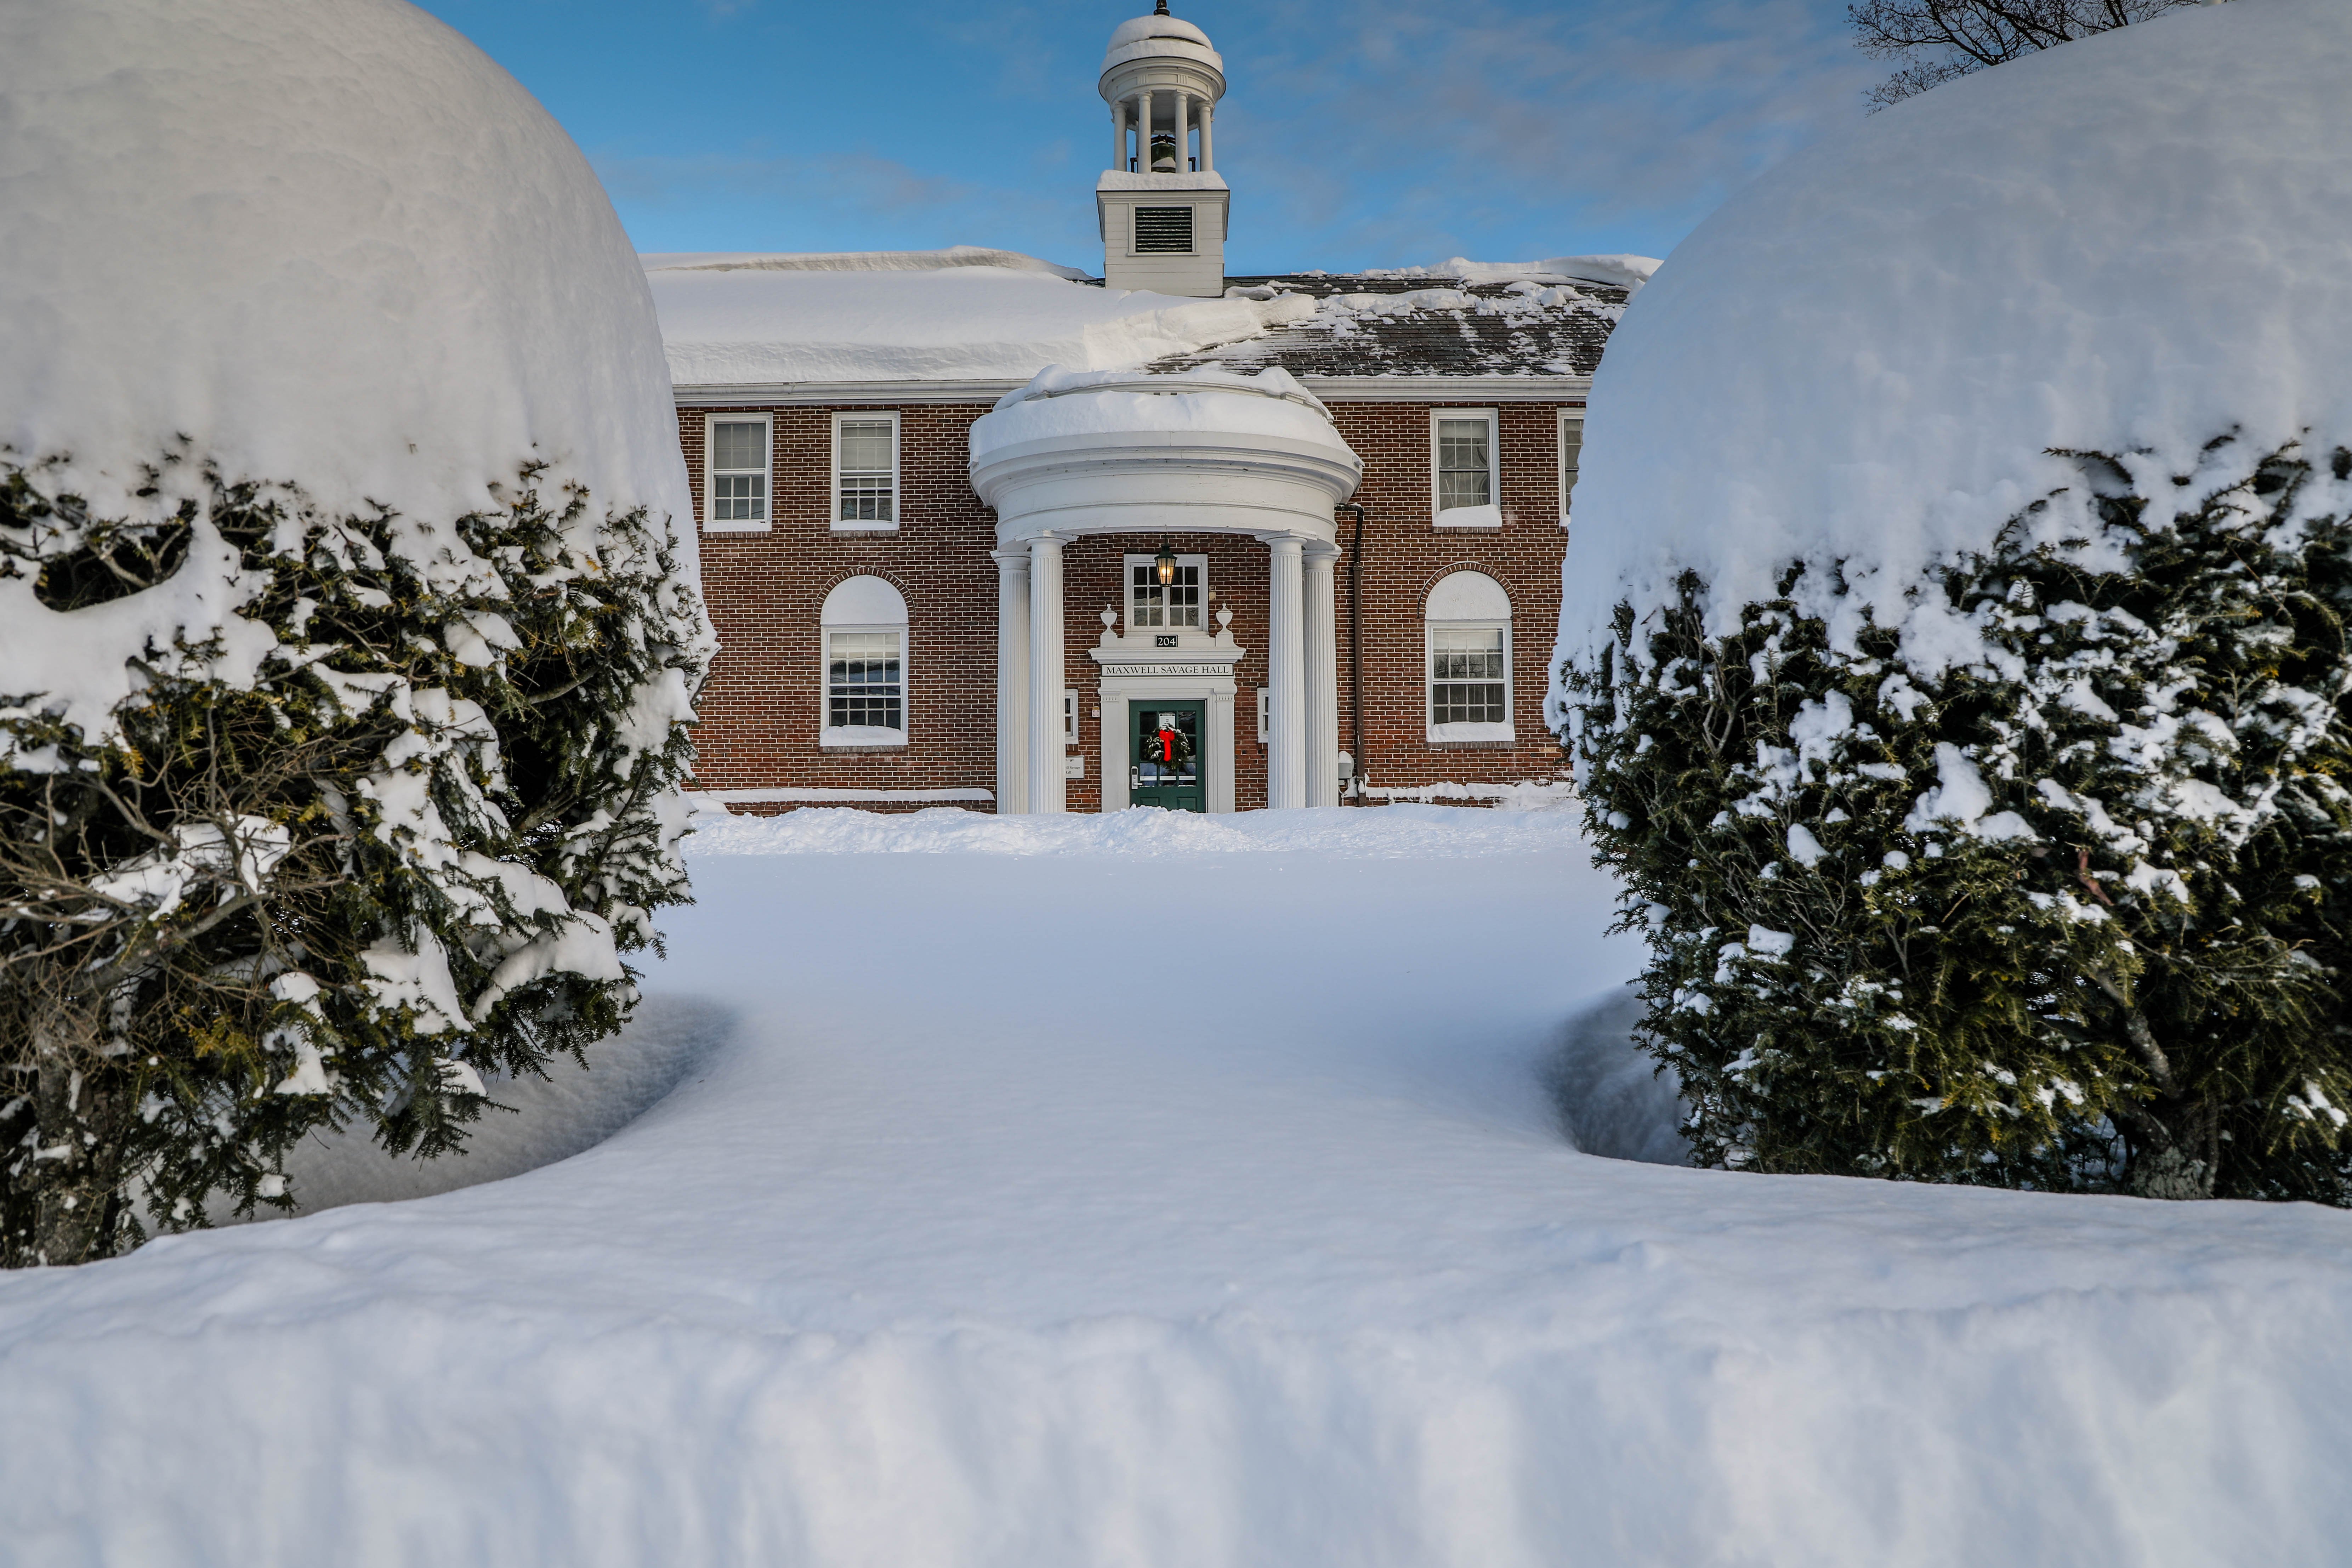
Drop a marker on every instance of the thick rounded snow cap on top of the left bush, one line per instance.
(328, 243)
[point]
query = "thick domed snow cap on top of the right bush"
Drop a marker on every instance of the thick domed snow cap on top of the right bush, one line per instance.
(2132, 243)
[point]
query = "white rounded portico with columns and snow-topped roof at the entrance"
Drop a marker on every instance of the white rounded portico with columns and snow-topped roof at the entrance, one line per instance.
(1205, 453)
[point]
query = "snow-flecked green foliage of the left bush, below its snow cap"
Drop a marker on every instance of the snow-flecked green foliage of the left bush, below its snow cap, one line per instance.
(375, 829)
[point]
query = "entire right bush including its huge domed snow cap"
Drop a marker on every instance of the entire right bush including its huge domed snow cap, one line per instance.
(1953, 638)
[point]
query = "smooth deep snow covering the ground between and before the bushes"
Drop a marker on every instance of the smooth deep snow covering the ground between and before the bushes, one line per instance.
(1177, 1193)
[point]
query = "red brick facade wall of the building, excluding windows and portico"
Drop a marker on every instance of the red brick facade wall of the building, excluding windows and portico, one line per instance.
(763, 704)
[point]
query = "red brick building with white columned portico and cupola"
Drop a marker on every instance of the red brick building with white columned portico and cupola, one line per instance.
(980, 530)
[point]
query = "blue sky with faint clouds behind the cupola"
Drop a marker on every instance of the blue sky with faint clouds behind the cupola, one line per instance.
(1356, 133)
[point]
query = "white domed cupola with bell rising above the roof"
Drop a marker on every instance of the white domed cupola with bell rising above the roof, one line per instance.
(1163, 203)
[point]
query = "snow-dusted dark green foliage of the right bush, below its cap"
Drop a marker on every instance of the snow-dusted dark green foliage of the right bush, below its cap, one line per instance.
(2064, 913)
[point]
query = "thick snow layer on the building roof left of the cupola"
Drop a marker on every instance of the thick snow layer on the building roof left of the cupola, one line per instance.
(775, 321)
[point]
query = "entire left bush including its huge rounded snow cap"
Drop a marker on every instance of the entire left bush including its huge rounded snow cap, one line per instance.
(347, 643)
